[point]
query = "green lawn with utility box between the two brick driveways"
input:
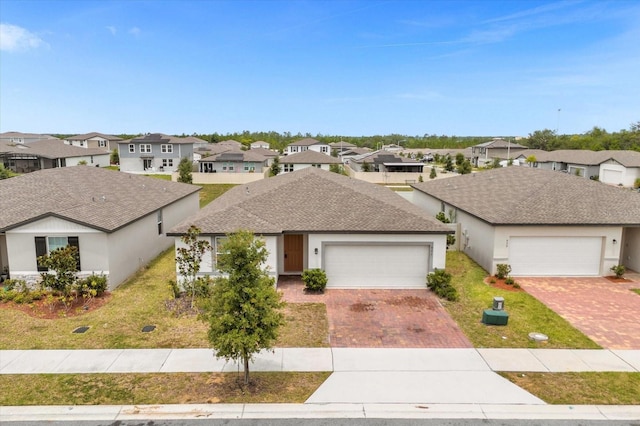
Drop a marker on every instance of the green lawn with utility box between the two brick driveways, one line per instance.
(526, 314)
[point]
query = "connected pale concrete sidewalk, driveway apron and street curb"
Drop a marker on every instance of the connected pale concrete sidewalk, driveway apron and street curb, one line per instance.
(365, 382)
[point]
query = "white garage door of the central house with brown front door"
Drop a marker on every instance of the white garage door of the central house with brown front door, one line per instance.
(376, 265)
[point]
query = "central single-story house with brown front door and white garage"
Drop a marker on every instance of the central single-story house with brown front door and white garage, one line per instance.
(363, 235)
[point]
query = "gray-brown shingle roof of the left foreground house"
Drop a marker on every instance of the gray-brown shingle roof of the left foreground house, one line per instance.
(76, 194)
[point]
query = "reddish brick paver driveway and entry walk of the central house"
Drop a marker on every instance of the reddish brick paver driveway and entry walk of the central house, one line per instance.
(382, 318)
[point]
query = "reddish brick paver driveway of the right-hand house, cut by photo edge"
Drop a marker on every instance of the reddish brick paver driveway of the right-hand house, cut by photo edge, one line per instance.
(608, 312)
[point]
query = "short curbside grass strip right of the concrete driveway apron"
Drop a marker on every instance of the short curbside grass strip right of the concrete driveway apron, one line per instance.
(589, 388)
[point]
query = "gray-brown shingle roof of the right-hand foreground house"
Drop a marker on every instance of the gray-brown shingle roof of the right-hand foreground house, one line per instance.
(528, 196)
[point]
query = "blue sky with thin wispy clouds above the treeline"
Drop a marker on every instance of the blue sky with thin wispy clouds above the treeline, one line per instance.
(348, 68)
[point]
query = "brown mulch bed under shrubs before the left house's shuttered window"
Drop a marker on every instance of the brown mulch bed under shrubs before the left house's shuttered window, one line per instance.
(44, 310)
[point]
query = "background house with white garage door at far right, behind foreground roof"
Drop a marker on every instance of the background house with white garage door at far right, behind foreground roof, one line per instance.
(611, 167)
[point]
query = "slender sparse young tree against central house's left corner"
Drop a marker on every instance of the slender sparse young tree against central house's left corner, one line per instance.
(189, 259)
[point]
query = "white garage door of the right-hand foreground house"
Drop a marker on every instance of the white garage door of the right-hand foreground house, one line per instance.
(555, 256)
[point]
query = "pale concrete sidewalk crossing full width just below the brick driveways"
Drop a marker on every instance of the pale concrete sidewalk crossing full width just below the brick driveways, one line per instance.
(63, 361)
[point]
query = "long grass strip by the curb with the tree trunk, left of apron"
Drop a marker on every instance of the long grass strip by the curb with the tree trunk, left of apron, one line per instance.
(158, 388)
